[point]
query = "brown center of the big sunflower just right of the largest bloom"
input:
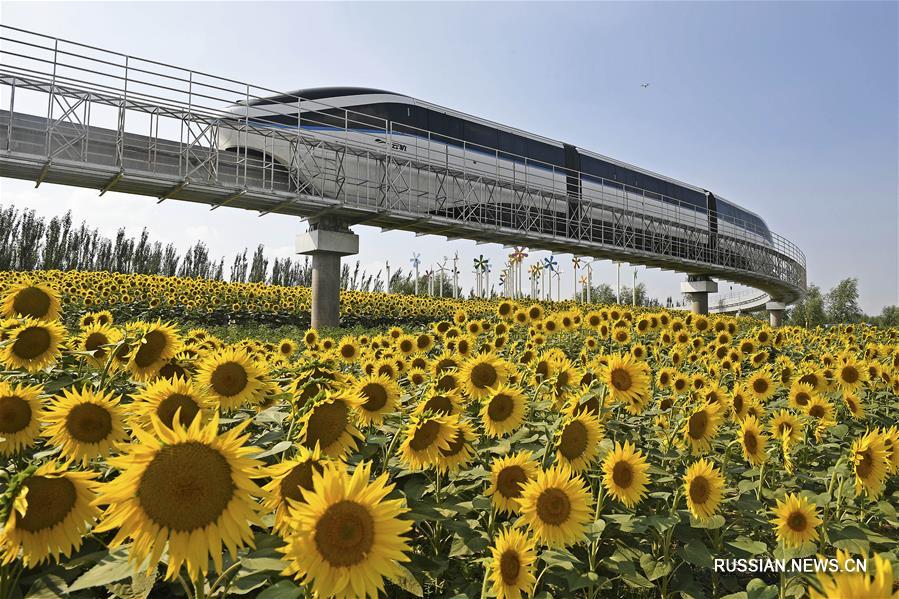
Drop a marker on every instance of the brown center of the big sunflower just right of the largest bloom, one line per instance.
(344, 534)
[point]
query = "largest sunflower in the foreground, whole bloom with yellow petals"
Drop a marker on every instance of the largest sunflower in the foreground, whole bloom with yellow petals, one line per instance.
(190, 488)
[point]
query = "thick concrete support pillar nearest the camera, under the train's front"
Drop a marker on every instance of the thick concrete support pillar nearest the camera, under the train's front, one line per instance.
(326, 246)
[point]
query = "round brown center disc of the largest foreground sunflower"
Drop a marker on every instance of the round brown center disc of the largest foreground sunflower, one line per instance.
(186, 487)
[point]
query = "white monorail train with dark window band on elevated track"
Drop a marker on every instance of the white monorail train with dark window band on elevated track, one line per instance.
(579, 189)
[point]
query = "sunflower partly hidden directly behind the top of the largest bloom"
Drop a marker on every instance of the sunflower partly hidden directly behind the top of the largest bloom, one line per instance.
(164, 398)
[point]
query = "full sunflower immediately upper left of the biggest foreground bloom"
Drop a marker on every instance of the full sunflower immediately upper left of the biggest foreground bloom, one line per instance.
(84, 424)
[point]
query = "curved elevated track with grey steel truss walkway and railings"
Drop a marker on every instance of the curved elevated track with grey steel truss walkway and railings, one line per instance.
(77, 115)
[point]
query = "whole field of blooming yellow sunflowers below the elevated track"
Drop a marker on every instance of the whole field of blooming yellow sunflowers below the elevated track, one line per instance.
(450, 449)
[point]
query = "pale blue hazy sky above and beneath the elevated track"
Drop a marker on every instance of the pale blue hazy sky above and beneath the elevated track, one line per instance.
(786, 108)
